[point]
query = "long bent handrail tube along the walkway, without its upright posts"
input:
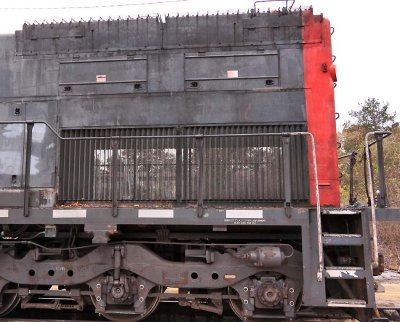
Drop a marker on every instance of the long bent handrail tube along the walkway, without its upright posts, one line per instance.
(200, 136)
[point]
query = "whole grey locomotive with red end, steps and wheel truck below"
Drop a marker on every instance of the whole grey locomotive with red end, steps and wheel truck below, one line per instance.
(187, 159)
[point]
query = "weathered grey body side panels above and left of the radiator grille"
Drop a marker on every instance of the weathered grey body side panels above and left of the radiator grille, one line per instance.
(53, 72)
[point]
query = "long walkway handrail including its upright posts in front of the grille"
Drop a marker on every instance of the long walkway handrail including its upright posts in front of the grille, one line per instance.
(199, 138)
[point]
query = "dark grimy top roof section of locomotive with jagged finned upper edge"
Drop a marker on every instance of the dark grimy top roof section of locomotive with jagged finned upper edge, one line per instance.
(154, 32)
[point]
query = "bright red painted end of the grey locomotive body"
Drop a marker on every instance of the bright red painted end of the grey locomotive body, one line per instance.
(319, 77)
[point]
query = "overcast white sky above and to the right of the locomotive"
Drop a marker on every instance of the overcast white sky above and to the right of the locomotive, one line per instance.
(365, 41)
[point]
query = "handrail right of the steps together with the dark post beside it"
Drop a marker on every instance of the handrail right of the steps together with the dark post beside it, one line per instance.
(379, 136)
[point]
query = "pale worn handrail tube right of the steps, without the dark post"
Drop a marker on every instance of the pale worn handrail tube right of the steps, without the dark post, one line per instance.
(375, 258)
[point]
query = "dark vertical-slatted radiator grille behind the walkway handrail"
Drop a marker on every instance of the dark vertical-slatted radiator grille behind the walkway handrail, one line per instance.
(167, 168)
